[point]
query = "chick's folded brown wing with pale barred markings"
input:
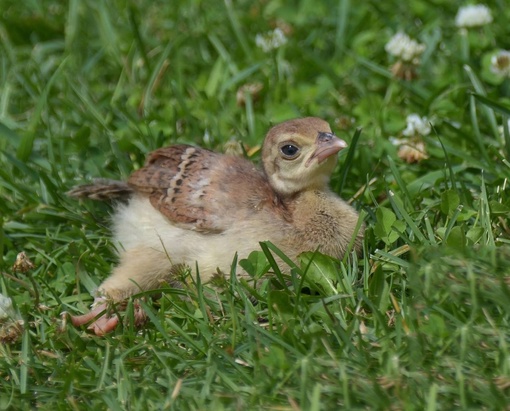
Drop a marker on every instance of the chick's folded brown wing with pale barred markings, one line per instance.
(195, 188)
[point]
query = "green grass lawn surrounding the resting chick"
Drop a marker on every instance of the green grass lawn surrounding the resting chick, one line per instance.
(422, 321)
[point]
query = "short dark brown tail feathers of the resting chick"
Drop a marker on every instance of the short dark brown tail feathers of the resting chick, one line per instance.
(102, 190)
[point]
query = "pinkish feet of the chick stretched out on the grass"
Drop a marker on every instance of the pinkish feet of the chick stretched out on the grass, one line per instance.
(103, 321)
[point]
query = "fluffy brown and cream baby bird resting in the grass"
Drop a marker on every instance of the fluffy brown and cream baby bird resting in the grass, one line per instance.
(189, 205)
